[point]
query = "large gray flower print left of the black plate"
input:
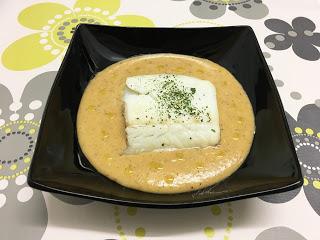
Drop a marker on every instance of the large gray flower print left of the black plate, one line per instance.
(23, 208)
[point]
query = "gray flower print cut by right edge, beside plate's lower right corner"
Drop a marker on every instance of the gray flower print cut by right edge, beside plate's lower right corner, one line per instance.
(306, 136)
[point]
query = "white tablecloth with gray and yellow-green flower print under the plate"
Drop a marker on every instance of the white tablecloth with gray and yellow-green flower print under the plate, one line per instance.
(34, 37)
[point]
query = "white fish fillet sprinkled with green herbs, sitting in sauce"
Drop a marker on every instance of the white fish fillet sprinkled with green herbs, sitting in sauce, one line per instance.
(151, 125)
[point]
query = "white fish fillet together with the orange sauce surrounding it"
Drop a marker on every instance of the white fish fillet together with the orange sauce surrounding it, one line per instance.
(165, 123)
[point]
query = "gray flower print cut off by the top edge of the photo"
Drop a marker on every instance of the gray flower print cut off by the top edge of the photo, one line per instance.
(212, 9)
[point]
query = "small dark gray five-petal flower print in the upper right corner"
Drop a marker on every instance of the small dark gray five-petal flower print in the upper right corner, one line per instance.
(301, 36)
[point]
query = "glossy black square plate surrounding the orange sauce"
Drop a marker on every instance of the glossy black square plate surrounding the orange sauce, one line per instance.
(59, 166)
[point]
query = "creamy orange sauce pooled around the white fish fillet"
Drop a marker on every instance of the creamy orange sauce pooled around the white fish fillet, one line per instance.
(102, 137)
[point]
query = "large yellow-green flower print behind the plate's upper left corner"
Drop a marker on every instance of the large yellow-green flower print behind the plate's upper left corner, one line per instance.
(56, 24)
